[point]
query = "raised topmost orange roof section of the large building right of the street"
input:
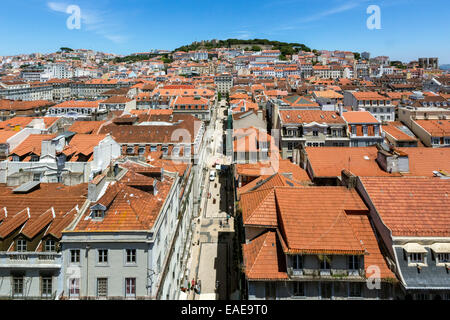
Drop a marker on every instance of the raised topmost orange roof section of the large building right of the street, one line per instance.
(314, 219)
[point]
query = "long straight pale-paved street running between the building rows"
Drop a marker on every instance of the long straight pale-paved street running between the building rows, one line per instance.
(211, 256)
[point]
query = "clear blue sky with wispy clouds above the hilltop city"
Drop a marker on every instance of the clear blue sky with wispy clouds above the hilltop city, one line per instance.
(409, 28)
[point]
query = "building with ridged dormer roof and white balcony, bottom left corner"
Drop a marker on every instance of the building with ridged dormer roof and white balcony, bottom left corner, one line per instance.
(31, 258)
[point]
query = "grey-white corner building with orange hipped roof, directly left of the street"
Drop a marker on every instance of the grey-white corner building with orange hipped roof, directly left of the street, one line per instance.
(121, 245)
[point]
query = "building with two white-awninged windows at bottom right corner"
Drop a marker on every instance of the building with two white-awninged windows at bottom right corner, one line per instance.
(418, 246)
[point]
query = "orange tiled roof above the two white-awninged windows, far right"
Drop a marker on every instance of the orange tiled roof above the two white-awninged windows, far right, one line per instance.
(416, 207)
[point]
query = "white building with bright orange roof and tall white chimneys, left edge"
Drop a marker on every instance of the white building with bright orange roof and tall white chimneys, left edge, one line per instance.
(68, 158)
